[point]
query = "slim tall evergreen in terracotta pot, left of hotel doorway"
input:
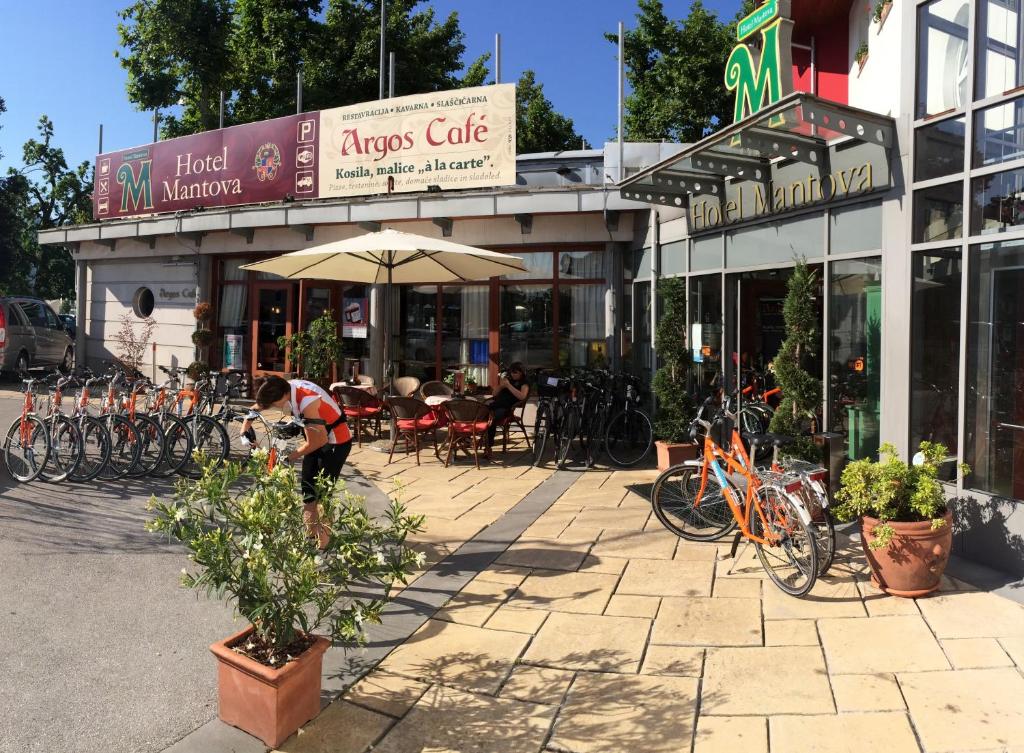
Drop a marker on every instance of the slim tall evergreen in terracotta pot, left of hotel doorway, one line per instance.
(675, 408)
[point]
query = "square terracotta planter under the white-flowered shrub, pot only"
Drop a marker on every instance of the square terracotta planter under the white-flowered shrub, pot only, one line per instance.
(270, 704)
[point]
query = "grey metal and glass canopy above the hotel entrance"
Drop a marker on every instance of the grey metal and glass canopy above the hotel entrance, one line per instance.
(800, 129)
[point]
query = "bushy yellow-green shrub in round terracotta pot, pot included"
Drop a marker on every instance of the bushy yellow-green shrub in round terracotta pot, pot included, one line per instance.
(906, 521)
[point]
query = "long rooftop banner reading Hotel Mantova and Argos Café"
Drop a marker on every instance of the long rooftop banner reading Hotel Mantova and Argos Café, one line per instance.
(452, 140)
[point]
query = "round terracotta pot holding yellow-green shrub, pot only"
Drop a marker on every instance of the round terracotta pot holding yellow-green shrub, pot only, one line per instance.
(914, 564)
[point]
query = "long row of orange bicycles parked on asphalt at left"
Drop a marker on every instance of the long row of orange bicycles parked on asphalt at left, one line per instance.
(119, 427)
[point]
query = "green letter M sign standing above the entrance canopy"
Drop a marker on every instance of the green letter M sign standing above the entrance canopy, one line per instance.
(760, 68)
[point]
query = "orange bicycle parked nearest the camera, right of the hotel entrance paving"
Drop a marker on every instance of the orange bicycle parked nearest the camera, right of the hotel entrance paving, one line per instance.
(762, 505)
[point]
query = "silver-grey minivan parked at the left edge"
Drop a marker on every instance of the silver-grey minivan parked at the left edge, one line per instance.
(32, 336)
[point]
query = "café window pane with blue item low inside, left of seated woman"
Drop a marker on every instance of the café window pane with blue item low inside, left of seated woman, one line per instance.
(464, 331)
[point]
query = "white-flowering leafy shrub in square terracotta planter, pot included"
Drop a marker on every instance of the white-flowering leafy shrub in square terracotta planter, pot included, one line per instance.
(243, 526)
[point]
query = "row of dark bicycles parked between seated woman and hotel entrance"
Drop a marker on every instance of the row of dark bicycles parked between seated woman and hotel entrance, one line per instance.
(592, 413)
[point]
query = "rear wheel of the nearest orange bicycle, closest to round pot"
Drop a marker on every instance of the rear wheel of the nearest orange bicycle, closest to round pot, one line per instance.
(792, 560)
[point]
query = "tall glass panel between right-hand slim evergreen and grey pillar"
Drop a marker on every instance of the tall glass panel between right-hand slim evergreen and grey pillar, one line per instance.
(856, 356)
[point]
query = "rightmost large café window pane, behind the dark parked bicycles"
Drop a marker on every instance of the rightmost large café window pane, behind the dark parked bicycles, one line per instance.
(581, 327)
